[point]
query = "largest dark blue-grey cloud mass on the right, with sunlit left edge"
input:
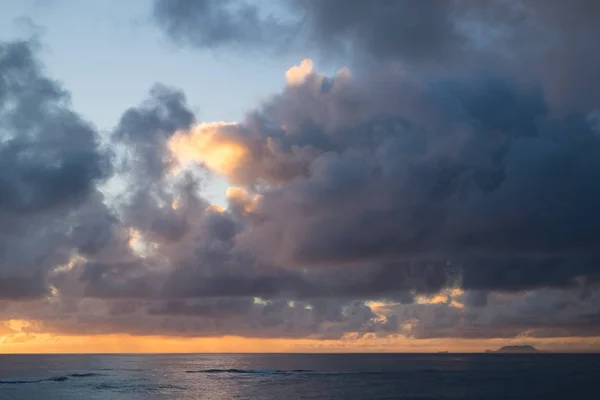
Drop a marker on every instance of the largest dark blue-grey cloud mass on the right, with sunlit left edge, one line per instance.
(447, 188)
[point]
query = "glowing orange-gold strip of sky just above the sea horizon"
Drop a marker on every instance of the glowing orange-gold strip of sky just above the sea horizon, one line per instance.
(21, 341)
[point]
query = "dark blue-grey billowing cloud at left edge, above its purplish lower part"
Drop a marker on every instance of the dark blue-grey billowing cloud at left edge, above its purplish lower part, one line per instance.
(50, 156)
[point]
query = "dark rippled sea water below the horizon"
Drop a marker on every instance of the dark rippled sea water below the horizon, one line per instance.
(305, 376)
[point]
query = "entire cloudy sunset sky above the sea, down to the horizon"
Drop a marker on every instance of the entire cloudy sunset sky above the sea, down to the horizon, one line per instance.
(299, 176)
